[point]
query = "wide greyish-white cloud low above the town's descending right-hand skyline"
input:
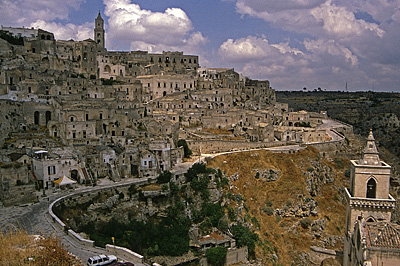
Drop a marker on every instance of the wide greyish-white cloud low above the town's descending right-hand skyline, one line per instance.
(323, 62)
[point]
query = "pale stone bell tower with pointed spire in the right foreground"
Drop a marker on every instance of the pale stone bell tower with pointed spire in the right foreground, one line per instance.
(369, 192)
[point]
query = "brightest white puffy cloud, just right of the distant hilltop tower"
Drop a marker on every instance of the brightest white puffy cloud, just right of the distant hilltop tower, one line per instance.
(155, 31)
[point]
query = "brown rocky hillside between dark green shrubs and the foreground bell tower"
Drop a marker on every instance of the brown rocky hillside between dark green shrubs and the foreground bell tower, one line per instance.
(283, 234)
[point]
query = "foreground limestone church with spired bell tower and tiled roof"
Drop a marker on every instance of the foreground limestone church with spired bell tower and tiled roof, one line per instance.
(370, 237)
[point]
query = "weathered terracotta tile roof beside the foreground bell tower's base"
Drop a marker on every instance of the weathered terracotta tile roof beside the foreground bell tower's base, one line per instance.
(385, 235)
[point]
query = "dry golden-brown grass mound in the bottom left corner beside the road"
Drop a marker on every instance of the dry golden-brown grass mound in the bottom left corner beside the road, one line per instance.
(19, 248)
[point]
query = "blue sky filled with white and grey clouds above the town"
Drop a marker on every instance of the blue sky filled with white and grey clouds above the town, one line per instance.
(293, 43)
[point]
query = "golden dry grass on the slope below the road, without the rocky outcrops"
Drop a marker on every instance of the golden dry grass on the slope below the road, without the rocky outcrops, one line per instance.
(285, 234)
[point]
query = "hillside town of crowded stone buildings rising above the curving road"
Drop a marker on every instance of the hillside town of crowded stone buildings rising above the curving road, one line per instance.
(73, 108)
